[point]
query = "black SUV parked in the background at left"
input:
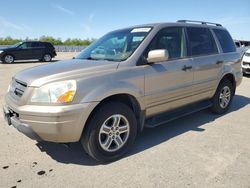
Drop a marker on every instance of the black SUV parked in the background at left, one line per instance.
(44, 51)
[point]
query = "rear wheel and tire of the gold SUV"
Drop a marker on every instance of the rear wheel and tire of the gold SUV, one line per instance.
(223, 97)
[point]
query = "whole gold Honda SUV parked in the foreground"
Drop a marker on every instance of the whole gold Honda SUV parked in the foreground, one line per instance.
(132, 78)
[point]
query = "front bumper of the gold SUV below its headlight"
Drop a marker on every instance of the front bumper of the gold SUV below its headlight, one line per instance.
(49, 123)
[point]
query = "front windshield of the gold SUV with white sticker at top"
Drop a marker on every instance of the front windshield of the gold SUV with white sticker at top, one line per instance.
(115, 46)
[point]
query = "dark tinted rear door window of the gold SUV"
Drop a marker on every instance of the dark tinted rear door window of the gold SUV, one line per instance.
(201, 41)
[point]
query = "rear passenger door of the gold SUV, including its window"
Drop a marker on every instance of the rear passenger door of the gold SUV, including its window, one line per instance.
(206, 61)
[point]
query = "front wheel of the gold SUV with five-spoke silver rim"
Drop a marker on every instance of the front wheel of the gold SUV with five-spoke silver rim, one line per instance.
(110, 132)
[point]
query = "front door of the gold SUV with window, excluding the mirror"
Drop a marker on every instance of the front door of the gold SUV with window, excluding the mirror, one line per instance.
(168, 84)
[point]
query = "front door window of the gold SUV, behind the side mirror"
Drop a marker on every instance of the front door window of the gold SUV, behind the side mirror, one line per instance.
(171, 39)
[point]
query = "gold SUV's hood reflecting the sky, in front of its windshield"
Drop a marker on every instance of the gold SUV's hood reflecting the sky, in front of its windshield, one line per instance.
(63, 70)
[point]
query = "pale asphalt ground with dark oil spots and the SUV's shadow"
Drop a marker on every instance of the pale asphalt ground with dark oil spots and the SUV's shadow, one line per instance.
(199, 150)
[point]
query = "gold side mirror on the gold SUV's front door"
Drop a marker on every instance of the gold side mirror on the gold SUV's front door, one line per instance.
(155, 56)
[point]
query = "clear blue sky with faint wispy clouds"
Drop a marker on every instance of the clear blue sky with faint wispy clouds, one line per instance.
(92, 18)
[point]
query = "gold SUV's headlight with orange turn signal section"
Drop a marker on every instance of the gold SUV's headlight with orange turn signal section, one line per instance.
(57, 92)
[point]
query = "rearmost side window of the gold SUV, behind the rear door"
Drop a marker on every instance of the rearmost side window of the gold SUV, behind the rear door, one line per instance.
(225, 40)
